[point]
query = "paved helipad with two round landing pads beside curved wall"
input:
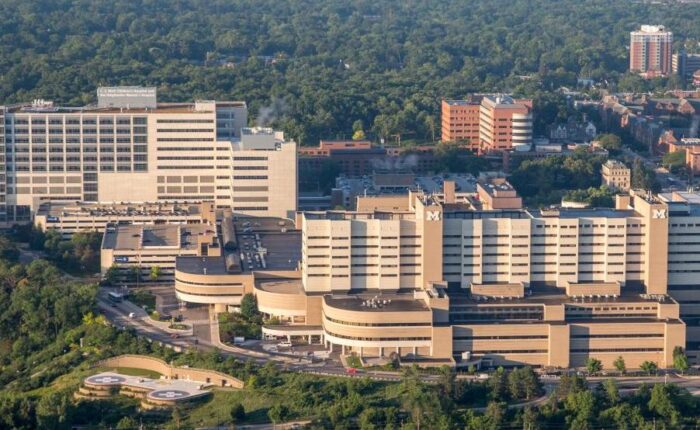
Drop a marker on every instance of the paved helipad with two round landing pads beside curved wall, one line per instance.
(163, 390)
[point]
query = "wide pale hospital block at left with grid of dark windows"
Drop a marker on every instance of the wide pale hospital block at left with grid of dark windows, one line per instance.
(128, 147)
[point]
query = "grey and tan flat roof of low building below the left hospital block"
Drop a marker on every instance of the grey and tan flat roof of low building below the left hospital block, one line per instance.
(135, 237)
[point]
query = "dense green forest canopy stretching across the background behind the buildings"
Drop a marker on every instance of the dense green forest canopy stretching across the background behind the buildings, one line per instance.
(323, 65)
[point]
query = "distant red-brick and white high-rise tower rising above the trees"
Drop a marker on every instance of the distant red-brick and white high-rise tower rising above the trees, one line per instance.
(650, 51)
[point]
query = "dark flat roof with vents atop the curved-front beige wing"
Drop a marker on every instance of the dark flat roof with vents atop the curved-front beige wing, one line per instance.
(377, 302)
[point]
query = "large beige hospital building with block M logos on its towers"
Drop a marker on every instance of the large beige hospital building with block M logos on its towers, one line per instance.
(444, 282)
